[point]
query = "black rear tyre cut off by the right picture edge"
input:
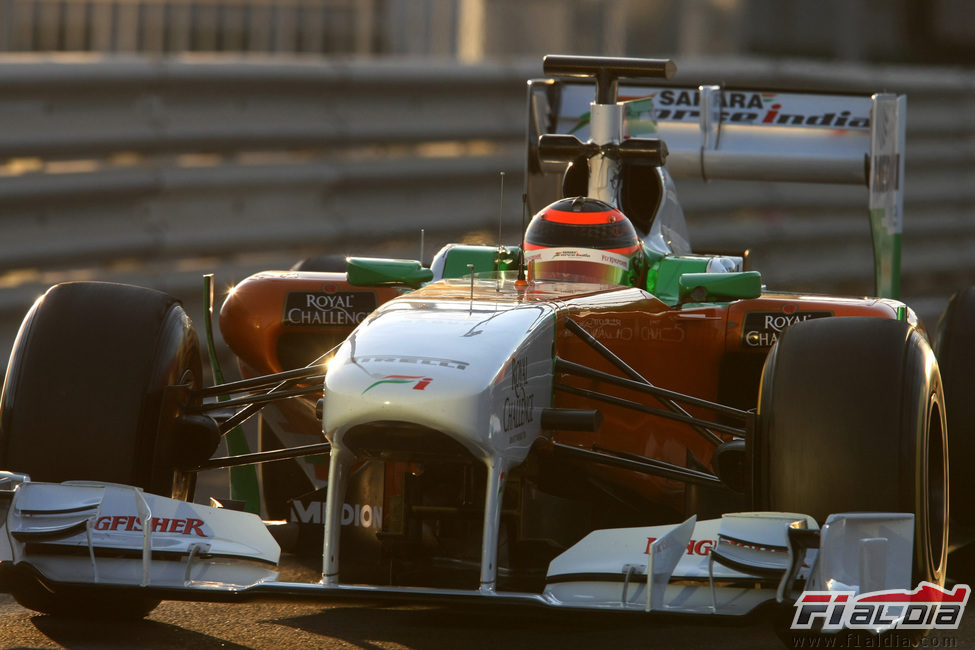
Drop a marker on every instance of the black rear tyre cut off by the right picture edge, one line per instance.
(955, 349)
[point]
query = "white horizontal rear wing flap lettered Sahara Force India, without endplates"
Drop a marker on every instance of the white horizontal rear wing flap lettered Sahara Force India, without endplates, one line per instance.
(741, 134)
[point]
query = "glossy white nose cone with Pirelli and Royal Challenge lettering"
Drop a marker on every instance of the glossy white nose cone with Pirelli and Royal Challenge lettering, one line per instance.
(478, 372)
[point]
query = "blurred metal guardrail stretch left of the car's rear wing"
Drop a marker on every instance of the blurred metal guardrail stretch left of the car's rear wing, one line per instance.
(141, 158)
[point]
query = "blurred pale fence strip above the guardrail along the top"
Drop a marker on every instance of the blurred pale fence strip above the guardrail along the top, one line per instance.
(916, 31)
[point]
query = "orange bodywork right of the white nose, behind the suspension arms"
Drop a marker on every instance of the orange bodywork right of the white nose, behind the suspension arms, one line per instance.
(713, 352)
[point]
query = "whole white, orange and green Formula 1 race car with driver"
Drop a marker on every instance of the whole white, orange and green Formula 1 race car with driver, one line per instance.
(597, 417)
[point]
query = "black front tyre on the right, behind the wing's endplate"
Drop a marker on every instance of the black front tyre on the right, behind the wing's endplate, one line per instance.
(851, 418)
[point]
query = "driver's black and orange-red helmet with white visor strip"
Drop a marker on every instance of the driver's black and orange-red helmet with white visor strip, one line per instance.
(583, 240)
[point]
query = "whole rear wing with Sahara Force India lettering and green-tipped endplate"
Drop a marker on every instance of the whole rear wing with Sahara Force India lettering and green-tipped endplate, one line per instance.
(724, 133)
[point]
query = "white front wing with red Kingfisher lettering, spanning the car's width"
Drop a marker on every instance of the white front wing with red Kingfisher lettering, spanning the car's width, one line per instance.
(84, 535)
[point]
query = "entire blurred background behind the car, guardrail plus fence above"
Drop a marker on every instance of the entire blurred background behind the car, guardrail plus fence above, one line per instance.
(149, 141)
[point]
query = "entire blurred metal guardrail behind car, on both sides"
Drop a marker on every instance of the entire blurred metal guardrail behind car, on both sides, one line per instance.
(156, 160)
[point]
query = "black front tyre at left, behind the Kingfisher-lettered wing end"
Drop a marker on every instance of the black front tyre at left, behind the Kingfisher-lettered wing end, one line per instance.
(85, 398)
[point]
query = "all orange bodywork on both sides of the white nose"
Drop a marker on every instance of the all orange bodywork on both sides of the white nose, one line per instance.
(274, 321)
